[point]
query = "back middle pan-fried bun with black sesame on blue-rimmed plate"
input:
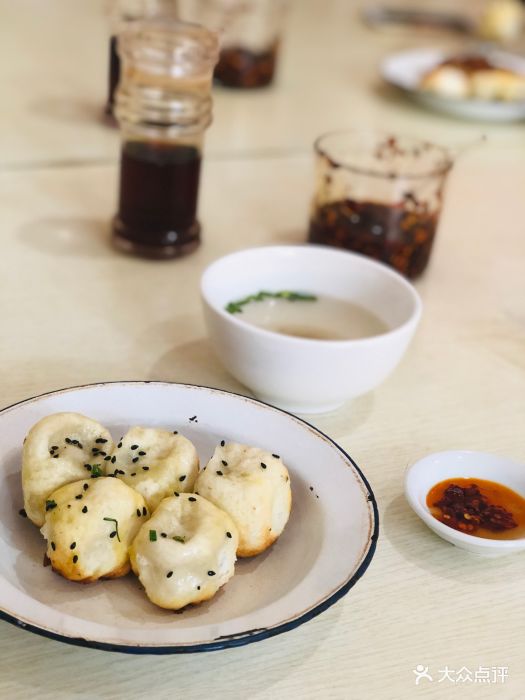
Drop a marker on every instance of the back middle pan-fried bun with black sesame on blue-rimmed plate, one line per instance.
(155, 463)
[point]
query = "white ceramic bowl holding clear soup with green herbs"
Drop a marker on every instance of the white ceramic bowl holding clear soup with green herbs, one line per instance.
(300, 374)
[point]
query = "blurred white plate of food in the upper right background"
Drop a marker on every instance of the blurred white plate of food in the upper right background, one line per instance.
(404, 71)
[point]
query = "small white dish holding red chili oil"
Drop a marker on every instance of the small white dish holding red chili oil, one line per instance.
(433, 468)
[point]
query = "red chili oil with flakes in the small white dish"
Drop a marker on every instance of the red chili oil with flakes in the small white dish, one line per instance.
(478, 507)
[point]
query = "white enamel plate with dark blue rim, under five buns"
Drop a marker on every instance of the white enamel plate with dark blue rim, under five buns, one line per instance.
(326, 547)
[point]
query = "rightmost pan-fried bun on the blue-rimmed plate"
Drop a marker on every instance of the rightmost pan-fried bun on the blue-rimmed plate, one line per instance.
(253, 487)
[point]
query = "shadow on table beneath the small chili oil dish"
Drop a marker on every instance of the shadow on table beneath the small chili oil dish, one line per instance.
(417, 544)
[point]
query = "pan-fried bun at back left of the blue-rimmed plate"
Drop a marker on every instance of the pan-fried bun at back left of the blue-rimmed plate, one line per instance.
(58, 450)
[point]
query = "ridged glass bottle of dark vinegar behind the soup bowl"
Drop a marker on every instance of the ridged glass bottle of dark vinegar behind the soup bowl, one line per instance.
(163, 105)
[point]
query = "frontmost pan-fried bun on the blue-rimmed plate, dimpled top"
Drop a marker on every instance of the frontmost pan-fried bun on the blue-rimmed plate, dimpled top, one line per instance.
(185, 552)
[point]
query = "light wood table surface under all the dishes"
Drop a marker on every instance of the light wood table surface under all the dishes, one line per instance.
(73, 311)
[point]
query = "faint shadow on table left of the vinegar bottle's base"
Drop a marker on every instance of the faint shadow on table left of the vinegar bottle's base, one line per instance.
(68, 236)
